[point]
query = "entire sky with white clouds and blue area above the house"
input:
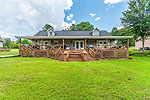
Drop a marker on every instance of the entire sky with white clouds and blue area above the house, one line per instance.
(27, 17)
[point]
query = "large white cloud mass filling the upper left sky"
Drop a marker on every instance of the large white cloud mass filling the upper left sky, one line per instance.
(26, 17)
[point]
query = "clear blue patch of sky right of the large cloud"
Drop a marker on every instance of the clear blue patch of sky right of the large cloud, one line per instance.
(109, 13)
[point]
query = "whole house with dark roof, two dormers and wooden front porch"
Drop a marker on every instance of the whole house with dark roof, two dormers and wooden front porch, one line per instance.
(75, 45)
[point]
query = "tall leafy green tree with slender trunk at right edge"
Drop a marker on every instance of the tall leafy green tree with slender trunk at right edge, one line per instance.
(137, 17)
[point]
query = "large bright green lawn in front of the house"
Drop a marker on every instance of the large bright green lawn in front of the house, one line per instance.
(36, 78)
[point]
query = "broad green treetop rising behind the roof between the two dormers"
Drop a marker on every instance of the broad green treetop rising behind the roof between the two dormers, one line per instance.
(83, 26)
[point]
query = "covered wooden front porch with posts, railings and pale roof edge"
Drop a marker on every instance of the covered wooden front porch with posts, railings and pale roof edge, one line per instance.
(104, 47)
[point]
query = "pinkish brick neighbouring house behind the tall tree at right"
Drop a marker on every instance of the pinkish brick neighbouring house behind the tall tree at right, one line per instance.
(138, 44)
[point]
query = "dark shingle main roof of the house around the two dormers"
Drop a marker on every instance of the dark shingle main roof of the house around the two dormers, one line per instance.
(73, 33)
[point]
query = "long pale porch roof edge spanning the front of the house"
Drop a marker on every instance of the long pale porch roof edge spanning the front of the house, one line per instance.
(74, 37)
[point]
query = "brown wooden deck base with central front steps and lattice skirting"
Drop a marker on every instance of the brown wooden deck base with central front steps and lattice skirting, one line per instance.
(75, 55)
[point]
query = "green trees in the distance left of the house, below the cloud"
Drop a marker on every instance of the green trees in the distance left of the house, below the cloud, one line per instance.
(8, 43)
